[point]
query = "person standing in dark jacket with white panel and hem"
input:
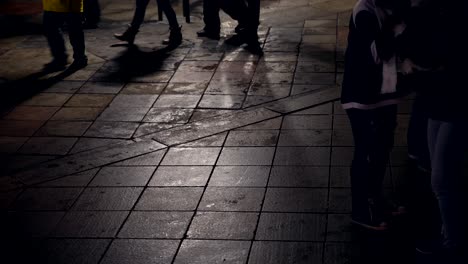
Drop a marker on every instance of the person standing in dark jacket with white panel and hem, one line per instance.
(369, 96)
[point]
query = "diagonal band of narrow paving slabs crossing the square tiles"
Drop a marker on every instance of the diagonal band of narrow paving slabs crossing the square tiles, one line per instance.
(83, 161)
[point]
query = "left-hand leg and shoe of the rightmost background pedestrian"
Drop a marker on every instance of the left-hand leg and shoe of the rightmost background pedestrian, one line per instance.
(211, 19)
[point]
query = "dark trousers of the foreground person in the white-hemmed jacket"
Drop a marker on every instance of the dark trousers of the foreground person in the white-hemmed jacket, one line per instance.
(373, 132)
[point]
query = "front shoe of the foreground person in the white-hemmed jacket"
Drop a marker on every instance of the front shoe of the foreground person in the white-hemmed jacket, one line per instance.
(373, 219)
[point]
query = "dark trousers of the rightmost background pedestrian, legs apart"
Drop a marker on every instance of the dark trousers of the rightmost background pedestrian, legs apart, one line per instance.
(236, 9)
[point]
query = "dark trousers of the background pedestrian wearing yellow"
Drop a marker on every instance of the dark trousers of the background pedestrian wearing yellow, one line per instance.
(53, 21)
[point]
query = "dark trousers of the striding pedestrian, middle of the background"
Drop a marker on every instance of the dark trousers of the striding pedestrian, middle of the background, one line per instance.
(165, 6)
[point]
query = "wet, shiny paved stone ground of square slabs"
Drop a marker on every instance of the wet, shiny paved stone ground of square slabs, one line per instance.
(202, 154)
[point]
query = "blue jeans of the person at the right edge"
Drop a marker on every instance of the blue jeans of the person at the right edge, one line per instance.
(448, 145)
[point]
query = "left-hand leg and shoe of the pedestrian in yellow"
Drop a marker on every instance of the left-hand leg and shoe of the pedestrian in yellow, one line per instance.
(53, 21)
